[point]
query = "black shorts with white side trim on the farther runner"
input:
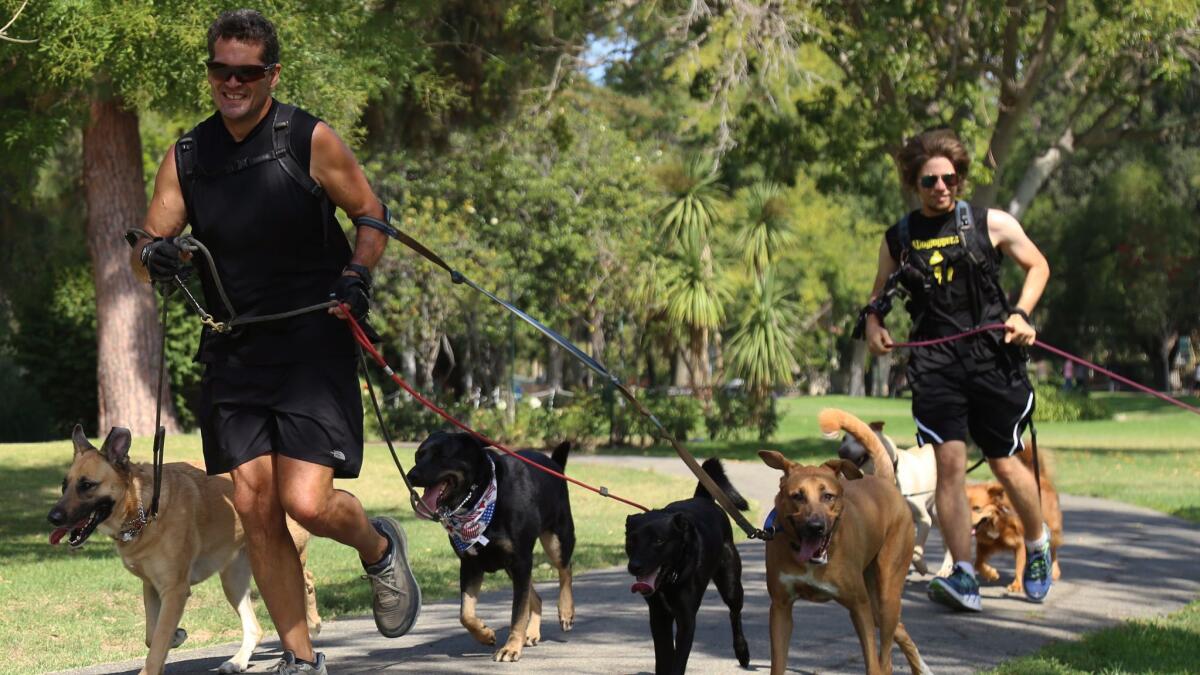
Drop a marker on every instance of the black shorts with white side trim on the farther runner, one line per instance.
(993, 405)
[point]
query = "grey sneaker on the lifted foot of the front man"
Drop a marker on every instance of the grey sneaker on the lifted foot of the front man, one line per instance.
(398, 599)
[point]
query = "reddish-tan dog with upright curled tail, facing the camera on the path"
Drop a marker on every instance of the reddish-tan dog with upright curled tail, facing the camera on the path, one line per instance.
(847, 537)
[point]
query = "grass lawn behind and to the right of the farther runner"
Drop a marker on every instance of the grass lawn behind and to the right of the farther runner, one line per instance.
(1148, 453)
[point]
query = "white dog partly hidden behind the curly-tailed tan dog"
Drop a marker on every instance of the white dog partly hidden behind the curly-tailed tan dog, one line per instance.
(916, 471)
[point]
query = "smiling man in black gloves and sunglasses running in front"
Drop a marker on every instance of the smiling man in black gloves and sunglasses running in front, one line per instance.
(280, 404)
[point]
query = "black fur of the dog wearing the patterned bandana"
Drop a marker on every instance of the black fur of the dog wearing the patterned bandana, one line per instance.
(531, 504)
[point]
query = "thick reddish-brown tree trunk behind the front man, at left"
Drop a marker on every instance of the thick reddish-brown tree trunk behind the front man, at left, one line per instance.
(129, 339)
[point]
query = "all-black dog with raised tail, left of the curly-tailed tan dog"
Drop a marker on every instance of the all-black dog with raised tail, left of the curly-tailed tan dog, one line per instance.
(691, 543)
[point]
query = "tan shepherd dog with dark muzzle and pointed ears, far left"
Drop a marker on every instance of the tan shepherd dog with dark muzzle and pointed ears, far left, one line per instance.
(197, 534)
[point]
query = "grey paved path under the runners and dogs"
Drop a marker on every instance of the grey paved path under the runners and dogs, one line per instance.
(1102, 541)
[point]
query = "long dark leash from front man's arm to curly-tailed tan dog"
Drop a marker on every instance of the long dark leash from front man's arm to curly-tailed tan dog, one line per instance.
(599, 369)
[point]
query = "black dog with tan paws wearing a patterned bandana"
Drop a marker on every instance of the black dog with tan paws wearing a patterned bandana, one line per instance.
(463, 481)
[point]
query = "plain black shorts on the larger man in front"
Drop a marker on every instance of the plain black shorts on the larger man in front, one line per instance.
(308, 411)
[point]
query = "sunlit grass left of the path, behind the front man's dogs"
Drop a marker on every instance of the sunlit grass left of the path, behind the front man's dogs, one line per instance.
(67, 610)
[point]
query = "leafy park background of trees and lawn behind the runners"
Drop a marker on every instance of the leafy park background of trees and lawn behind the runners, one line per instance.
(694, 192)
